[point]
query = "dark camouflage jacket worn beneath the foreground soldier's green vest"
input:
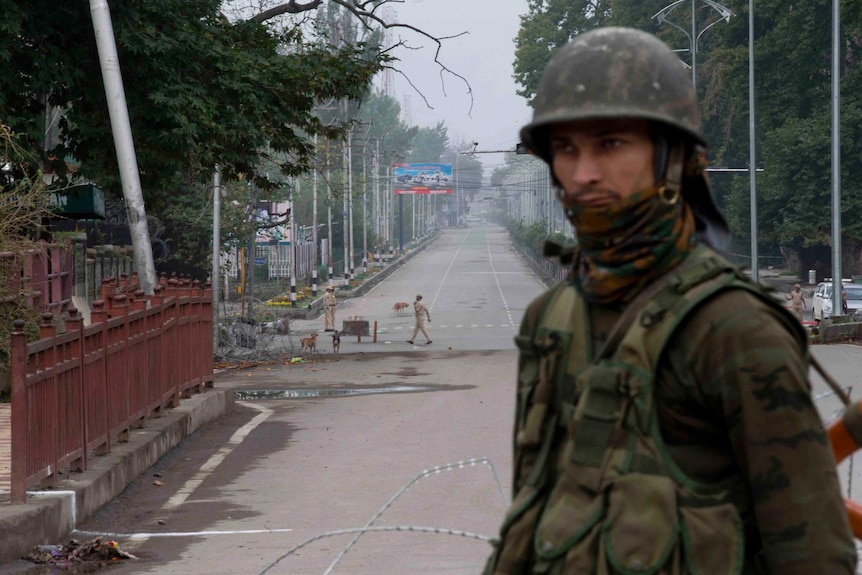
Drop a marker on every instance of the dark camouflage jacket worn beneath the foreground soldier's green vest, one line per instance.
(733, 404)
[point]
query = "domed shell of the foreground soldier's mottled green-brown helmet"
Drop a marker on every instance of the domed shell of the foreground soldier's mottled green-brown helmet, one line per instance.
(613, 73)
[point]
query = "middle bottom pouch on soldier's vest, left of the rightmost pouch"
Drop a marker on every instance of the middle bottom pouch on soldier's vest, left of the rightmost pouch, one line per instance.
(641, 529)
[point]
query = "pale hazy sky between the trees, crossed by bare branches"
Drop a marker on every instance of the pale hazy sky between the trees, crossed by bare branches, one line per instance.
(484, 57)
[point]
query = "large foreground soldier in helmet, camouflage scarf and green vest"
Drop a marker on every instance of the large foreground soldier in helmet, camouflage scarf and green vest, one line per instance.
(664, 419)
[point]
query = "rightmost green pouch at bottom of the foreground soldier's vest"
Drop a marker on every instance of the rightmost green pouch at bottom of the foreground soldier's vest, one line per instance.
(713, 540)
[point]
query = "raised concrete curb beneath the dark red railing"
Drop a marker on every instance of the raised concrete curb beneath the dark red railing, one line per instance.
(49, 516)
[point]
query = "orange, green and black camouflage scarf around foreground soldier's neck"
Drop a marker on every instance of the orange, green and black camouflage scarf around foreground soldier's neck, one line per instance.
(625, 246)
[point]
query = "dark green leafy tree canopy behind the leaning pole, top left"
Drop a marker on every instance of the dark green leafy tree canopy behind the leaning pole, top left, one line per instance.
(200, 91)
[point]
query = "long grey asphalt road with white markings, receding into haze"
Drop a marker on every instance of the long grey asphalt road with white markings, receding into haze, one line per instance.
(411, 443)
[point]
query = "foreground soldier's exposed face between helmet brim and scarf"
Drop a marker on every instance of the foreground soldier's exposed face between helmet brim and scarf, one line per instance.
(599, 162)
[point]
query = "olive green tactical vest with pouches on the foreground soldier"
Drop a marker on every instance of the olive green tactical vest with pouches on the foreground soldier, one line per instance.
(596, 491)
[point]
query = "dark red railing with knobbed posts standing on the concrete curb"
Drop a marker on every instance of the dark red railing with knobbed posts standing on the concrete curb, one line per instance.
(76, 393)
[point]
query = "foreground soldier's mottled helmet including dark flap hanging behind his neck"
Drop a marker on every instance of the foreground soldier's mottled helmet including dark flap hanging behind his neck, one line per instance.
(613, 73)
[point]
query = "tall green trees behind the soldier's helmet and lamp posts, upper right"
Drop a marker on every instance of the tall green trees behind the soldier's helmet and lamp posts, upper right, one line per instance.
(793, 108)
